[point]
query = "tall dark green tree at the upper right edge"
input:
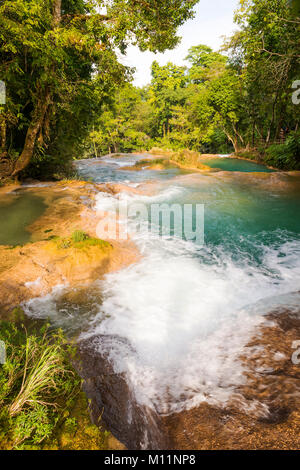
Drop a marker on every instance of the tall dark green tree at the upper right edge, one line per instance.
(269, 41)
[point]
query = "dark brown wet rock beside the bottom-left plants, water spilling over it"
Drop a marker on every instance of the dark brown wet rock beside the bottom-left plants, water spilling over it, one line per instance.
(112, 400)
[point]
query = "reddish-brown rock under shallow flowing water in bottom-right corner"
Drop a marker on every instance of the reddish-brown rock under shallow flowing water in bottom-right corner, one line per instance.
(264, 413)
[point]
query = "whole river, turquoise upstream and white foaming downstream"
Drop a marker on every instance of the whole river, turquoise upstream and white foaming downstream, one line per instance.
(172, 327)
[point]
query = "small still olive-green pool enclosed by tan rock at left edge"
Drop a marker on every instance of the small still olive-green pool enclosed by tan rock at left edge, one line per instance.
(17, 212)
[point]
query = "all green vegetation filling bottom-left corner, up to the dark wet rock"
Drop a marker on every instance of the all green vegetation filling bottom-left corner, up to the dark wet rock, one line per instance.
(41, 403)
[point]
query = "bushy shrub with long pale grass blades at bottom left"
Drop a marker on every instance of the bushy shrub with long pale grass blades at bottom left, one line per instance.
(37, 383)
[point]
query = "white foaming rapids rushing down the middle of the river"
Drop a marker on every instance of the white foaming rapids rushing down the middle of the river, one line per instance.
(186, 313)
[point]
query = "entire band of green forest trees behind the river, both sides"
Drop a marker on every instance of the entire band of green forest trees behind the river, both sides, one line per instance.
(68, 96)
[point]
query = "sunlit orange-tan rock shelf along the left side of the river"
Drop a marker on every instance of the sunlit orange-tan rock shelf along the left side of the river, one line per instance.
(48, 260)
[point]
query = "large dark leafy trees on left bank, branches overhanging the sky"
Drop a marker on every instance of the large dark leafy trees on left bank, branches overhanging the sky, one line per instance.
(58, 59)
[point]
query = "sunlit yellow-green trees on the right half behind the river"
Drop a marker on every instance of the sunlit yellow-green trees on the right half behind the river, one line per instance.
(239, 99)
